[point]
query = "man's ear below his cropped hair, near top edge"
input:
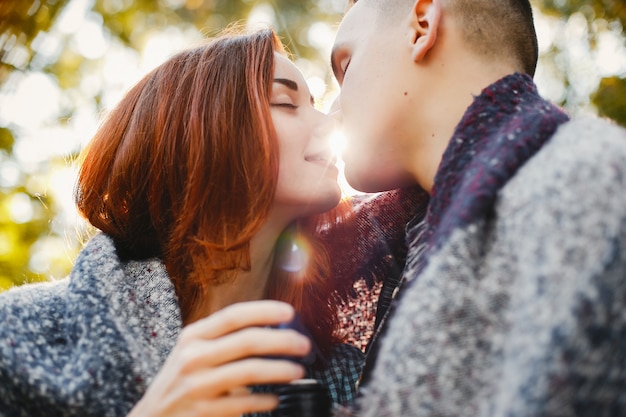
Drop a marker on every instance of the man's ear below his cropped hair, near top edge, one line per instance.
(424, 22)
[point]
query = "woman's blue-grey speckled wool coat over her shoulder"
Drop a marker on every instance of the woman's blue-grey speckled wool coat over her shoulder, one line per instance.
(90, 345)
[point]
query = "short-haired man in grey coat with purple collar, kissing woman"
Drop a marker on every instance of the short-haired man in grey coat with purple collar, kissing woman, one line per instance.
(513, 296)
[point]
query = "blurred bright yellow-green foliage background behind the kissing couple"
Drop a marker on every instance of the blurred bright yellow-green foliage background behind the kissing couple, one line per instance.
(64, 63)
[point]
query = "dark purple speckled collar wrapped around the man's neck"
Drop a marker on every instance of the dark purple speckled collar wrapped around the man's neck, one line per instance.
(503, 128)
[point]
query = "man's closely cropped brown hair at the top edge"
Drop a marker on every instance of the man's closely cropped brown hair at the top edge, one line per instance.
(491, 28)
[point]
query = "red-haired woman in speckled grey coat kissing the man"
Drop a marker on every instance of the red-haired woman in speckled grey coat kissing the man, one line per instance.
(197, 181)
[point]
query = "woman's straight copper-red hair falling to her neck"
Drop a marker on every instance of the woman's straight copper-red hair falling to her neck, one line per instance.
(185, 168)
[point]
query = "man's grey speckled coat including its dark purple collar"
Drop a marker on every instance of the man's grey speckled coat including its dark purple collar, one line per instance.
(513, 297)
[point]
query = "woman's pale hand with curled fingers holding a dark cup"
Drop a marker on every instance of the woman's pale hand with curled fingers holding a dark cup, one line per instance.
(217, 358)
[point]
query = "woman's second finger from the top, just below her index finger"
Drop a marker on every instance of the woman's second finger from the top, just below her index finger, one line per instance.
(251, 342)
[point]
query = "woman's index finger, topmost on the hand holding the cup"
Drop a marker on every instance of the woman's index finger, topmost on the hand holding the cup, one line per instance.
(238, 316)
